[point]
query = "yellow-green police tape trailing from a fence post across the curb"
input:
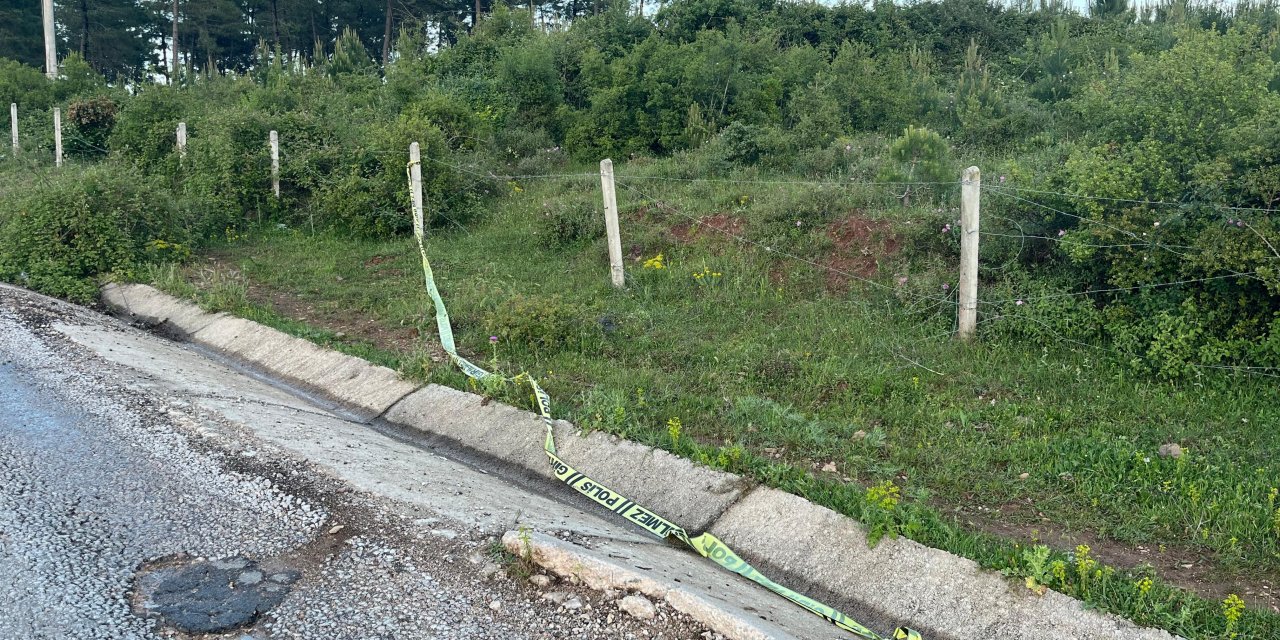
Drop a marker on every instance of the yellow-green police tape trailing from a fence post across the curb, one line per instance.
(706, 545)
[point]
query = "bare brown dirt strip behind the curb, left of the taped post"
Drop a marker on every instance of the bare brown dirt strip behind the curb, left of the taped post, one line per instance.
(348, 324)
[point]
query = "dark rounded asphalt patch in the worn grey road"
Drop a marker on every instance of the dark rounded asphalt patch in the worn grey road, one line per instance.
(209, 597)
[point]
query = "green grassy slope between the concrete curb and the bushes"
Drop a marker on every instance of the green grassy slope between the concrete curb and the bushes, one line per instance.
(776, 374)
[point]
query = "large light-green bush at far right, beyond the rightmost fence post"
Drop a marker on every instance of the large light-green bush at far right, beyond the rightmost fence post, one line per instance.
(1160, 132)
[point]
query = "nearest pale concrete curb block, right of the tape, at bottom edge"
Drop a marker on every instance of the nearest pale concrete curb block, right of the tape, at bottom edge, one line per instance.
(941, 595)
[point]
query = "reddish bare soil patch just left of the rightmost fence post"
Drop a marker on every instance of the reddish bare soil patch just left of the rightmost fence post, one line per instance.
(860, 245)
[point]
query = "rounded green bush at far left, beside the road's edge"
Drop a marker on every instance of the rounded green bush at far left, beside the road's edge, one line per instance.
(66, 232)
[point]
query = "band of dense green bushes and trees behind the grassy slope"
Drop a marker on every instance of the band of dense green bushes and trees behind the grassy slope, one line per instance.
(1131, 154)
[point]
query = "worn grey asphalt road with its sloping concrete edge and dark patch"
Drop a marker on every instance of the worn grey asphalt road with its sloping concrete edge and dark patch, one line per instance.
(147, 492)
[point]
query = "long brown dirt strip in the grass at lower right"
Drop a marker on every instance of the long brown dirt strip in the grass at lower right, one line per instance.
(1187, 569)
